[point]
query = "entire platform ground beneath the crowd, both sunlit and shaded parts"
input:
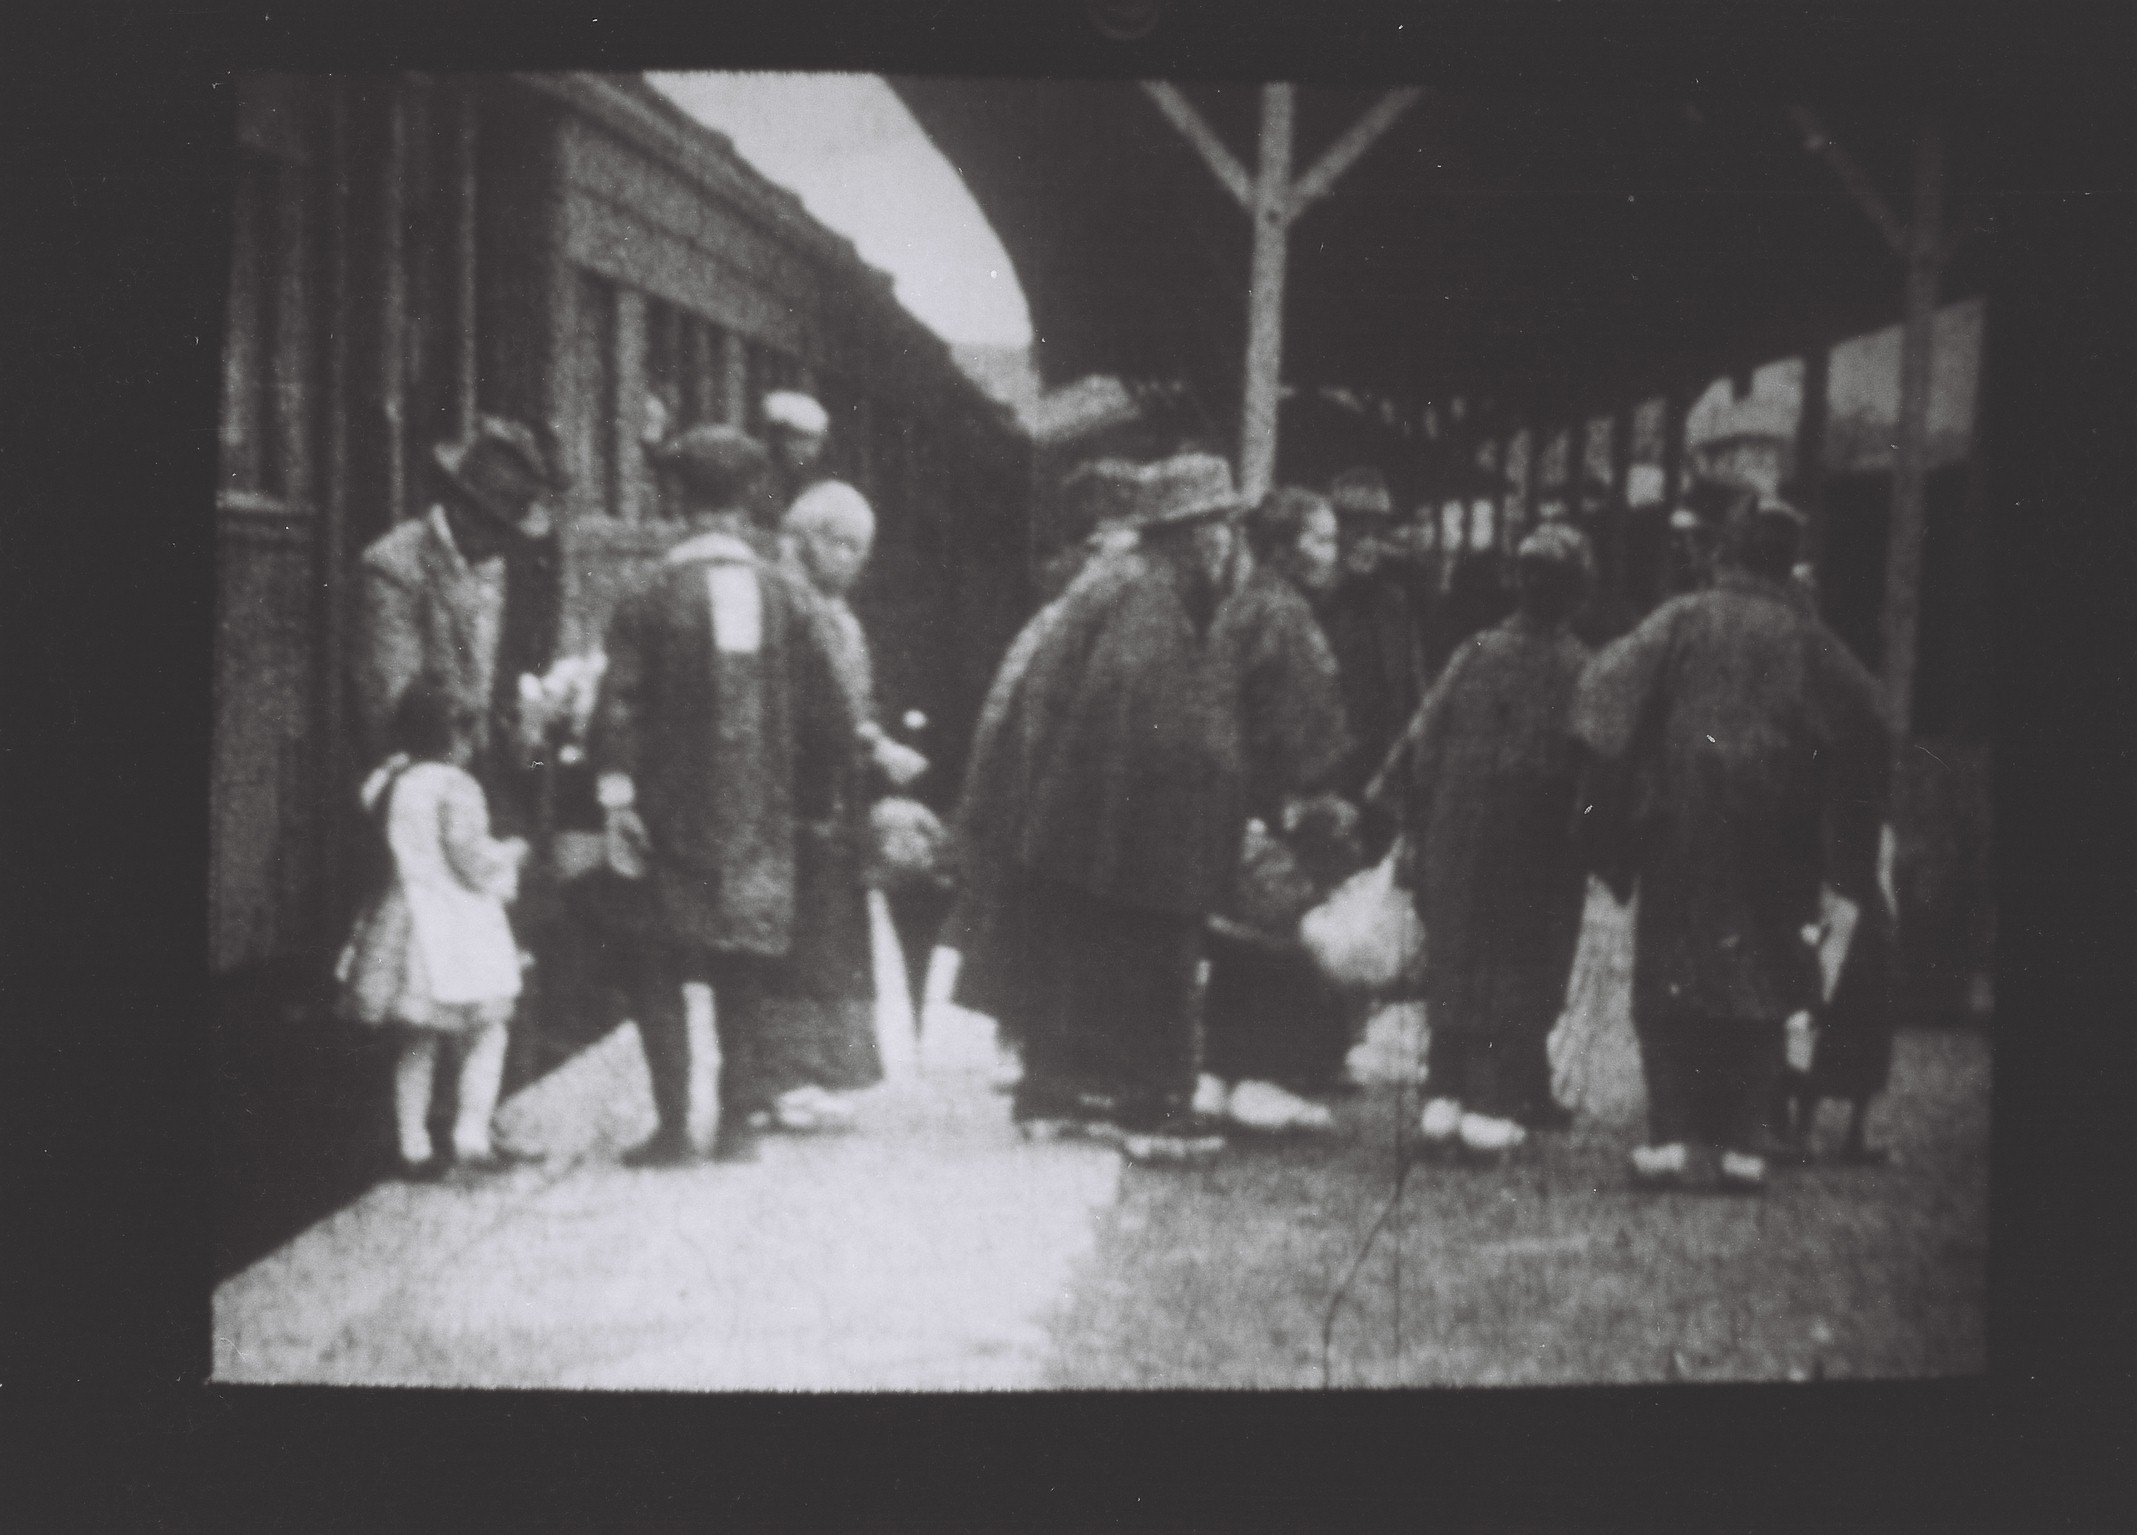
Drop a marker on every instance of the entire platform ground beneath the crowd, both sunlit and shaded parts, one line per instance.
(935, 1252)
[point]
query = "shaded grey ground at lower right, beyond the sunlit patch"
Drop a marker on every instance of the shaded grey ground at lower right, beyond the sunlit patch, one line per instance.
(1550, 1271)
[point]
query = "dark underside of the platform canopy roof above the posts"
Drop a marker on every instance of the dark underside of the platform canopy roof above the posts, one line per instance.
(1538, 251)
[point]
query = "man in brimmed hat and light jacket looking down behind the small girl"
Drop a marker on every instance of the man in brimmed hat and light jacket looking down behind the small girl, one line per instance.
(469, 598)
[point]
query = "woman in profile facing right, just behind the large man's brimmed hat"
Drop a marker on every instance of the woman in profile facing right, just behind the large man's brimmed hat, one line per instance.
(1275, 1032)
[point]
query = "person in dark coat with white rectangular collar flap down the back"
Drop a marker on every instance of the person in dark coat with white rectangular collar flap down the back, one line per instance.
(721, 728)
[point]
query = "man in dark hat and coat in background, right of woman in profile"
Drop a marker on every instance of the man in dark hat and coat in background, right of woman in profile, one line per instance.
(1375, 634)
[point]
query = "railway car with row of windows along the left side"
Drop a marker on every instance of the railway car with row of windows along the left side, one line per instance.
(570, 249)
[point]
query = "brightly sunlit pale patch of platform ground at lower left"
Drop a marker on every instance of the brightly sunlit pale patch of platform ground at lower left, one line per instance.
(922, 1252)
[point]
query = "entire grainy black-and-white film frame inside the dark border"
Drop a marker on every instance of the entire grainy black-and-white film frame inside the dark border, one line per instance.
(958, 734)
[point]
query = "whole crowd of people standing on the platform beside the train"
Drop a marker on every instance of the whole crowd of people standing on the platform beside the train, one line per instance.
(1219, 722)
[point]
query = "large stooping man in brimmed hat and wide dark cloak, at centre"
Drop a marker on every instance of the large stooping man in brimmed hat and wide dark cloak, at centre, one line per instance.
(1114, 796)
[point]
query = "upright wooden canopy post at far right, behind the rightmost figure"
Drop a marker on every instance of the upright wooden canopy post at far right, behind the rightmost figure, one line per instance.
(1909, 512)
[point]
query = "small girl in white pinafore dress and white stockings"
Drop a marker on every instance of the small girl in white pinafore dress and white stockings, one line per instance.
(437, 957)
